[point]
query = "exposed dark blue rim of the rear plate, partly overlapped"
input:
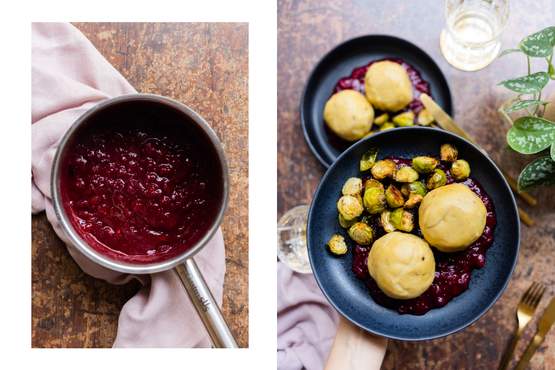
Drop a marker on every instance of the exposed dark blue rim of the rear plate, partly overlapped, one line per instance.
(340, 62)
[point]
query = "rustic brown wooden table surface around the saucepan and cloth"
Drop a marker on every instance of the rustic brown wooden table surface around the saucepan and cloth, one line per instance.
(206, 67)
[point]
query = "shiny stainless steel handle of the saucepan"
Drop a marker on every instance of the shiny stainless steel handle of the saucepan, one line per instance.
(205, 304)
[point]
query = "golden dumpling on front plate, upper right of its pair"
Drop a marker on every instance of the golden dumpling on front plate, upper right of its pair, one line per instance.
(452, 217)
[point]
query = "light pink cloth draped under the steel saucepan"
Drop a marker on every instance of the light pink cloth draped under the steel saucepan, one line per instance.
(69, 76)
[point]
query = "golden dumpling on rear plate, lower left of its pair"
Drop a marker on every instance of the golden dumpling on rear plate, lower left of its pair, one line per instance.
(349, 115)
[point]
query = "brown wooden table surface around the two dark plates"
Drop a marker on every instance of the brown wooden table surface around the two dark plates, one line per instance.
(306, 31)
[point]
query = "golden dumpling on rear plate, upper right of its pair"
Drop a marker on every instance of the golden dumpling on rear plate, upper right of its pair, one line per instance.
(388, 86)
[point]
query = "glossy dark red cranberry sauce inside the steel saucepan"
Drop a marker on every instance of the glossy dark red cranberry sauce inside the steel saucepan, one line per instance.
(141, 193)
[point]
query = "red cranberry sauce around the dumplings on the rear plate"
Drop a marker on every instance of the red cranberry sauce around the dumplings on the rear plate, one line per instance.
(356, 82)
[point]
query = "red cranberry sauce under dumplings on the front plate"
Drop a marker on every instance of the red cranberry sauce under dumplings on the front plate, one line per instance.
(453, 270)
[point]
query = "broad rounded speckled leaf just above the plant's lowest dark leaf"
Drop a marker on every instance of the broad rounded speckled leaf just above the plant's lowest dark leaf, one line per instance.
(531, 135)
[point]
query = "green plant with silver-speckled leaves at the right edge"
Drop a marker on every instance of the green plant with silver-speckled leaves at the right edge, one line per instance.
(533, 132)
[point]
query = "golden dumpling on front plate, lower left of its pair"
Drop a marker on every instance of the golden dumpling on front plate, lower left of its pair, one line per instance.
(402, 265)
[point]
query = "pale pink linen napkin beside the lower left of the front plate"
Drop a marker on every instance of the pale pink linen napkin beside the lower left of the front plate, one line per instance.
(307, 324)
